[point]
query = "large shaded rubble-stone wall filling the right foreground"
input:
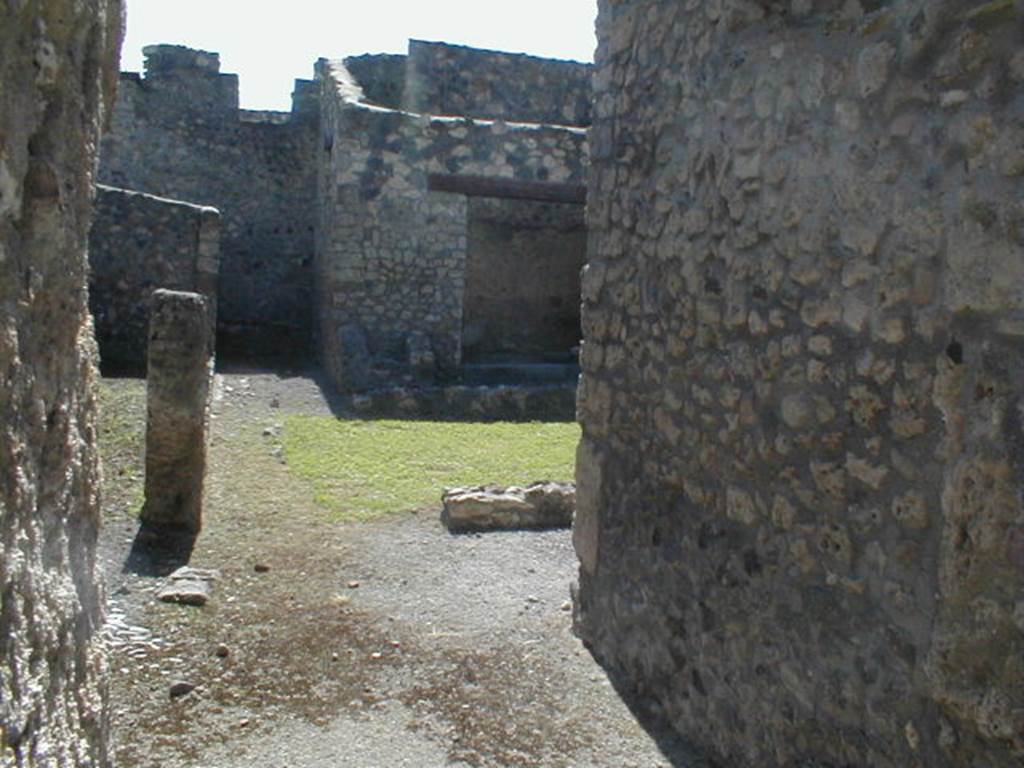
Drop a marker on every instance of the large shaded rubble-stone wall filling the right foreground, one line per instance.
(800, 493)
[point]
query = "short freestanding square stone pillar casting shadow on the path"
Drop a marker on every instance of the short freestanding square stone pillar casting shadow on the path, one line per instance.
(178, 399)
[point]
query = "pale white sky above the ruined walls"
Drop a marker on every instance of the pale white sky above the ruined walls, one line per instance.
(271, 45)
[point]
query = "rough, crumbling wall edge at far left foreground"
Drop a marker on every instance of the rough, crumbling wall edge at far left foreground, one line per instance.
(59, 71)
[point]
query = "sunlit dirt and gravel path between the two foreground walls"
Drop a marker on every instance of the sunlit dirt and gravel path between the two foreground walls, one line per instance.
(388, 644)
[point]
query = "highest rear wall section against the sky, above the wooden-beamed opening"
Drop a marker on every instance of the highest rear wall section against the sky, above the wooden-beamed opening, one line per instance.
(445, 79)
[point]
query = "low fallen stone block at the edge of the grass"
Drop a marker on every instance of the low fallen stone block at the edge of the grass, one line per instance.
(543, 505)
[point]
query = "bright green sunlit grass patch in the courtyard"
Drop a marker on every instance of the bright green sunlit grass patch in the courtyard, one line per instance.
(362, 470)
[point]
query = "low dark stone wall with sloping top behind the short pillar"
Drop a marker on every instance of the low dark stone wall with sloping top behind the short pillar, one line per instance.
(140, 243)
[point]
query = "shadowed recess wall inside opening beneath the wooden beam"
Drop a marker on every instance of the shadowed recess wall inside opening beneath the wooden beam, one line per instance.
(523, 280)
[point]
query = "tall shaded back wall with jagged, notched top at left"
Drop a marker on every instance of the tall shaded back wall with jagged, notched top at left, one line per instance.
(179, 134)
